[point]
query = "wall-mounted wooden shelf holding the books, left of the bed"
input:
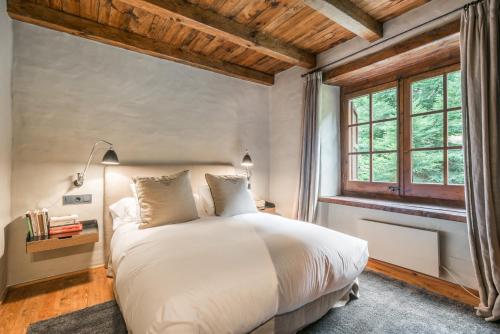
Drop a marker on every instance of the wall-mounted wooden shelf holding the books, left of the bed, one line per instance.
(89, 234)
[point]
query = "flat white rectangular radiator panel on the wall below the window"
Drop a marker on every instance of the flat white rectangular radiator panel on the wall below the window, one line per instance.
(407, 247)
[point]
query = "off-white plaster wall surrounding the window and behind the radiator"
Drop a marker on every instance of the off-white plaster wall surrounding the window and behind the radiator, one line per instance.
(285, 124)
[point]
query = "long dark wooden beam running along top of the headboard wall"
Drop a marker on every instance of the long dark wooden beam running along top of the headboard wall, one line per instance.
(56, 20)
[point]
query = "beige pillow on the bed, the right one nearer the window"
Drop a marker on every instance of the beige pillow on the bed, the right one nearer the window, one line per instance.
(230, 194)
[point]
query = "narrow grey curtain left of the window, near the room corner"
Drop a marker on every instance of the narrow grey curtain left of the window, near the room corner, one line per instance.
(309, 158)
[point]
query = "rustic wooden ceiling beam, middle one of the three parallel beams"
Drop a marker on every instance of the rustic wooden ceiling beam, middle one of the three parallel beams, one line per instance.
(215, 24)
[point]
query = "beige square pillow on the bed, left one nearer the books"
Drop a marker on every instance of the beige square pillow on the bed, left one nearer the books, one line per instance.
(166, 199)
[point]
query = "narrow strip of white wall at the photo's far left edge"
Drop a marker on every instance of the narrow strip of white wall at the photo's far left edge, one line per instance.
(5, 130)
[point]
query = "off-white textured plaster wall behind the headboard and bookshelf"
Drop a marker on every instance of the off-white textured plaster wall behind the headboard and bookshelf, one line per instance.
(68, 92)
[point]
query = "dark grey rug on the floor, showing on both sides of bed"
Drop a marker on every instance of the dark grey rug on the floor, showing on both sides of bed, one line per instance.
(385, 306)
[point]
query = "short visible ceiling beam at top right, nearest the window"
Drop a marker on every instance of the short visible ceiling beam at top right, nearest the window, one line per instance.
(349, 16)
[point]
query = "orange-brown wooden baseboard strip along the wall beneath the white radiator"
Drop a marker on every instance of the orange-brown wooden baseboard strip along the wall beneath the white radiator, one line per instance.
(426, 282)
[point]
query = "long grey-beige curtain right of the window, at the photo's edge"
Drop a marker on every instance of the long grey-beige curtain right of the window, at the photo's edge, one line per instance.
(479, 43)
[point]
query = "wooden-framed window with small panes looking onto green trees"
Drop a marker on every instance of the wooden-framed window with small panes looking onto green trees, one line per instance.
(404, 139)
